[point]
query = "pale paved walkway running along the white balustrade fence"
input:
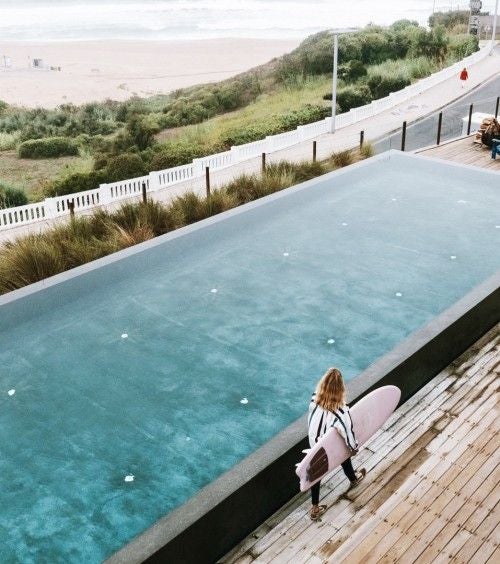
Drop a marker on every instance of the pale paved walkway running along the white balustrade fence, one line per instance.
(374, 127)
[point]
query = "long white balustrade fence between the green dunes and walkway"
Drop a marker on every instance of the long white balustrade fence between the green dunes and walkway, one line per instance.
(109, 193)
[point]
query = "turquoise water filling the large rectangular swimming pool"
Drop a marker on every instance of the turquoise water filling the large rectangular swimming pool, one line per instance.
(126, 389)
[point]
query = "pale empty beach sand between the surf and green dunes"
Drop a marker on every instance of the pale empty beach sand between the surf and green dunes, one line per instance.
(100, 70)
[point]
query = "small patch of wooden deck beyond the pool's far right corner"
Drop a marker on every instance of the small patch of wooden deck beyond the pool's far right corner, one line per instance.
(463, 151)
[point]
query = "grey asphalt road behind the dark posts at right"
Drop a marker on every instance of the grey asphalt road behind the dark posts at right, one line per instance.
(423, 132)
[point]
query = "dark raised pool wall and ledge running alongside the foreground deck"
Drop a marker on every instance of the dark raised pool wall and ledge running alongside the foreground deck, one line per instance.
(220, 515)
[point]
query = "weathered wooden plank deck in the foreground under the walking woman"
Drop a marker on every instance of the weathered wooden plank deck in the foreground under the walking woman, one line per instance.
(432, 490)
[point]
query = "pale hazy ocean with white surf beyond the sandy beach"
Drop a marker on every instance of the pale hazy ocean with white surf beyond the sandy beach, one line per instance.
(71, 20)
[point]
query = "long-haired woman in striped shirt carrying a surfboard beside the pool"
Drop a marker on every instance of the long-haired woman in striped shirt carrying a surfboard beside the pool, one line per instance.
(328, 409)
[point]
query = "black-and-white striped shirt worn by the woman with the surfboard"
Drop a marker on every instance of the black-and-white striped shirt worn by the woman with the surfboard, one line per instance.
(320, 420)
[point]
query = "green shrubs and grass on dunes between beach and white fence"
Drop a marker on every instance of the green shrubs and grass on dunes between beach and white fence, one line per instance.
(73, 148)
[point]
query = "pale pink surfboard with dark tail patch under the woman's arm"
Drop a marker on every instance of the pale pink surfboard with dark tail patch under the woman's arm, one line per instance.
(368, 415)
